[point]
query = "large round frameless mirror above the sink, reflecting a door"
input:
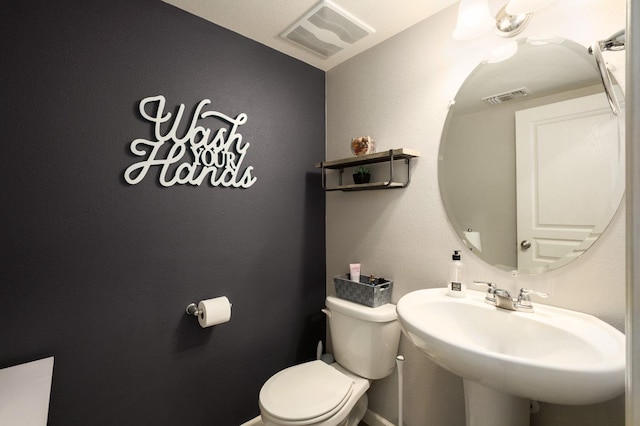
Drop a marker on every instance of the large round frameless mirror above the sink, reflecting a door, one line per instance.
(531, 161)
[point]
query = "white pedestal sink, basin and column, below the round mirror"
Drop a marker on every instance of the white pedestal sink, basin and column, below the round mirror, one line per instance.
(508, 358)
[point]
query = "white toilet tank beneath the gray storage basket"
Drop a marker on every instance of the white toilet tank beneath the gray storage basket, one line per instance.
(364, 340)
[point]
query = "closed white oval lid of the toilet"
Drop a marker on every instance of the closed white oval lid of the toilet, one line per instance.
(305, 391)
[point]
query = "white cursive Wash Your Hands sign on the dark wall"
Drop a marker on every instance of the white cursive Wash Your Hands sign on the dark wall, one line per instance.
(200, 154)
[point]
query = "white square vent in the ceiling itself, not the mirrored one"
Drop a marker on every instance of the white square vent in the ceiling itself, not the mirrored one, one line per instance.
(326, 29)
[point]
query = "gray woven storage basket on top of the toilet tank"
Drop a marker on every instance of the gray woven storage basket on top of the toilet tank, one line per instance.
(362, 292)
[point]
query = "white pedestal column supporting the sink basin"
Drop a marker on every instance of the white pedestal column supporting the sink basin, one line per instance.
(487, 407)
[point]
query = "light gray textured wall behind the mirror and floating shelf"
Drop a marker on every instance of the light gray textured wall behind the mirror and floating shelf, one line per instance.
(398, 92)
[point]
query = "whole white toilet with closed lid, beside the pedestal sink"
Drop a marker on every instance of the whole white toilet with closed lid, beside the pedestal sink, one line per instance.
(365, 345)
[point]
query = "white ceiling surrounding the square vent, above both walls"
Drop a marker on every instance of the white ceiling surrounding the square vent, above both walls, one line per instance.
(264, 21)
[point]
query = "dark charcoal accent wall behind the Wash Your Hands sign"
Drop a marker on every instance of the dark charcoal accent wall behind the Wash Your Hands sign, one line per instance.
(98, 272)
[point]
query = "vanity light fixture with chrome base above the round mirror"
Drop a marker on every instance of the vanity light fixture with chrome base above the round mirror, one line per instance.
(474, 17)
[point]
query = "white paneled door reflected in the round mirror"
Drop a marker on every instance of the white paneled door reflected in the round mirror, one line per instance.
(565, 154)
